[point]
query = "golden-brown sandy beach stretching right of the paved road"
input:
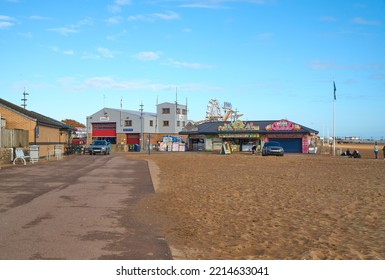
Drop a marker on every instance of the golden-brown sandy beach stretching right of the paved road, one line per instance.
(239, 206)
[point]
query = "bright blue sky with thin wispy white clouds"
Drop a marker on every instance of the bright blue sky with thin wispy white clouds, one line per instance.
(271, 59)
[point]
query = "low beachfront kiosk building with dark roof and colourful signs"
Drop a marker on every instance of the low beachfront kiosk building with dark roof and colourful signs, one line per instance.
(242, 135)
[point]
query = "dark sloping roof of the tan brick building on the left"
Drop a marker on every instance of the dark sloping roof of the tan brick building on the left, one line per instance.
(41, 119)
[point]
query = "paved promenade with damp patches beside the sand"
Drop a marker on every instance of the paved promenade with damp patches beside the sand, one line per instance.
(81, 207)
